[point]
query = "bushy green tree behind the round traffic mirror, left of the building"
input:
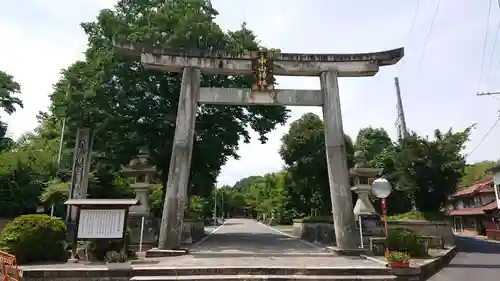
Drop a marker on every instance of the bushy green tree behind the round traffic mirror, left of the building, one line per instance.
(424, 171)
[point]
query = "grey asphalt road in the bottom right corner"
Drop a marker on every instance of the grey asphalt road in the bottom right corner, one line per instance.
(477, 260)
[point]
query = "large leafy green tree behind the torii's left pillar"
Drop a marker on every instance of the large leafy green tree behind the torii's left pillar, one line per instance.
(128, 106)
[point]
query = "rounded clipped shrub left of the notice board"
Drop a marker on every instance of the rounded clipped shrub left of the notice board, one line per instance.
(33, 238)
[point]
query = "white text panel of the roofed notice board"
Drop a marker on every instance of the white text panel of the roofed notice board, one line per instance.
(101, 223)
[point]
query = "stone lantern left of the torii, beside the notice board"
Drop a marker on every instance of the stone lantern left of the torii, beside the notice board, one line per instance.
(141, 174)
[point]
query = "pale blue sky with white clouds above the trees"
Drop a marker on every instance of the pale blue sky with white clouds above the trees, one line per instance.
(438, 82)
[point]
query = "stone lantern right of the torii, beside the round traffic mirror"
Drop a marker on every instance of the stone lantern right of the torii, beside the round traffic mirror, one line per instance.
(361, 178)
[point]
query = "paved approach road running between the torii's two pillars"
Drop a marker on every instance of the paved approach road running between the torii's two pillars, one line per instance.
(246, 236)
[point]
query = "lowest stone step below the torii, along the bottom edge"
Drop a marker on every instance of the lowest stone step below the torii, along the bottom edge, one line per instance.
(266, 277)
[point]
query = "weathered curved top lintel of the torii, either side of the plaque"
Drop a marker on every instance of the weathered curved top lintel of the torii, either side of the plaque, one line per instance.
(238, 63)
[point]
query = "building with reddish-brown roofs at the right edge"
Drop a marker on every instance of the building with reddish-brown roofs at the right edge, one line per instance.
(474, 208)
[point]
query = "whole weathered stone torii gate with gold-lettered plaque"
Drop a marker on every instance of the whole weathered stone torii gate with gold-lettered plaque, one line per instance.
(263, 65)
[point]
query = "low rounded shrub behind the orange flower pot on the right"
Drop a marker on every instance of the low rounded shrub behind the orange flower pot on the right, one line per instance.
(406, 240)
